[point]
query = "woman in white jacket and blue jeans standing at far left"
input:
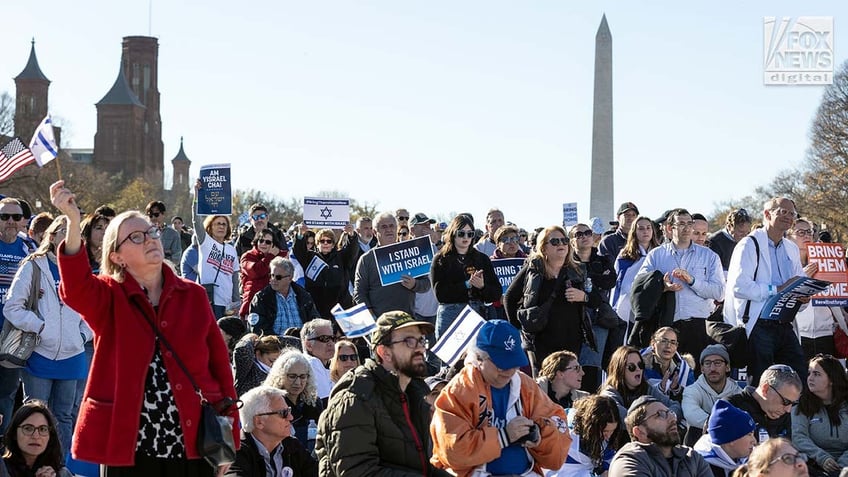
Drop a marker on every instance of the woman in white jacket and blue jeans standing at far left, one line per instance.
(59, 358)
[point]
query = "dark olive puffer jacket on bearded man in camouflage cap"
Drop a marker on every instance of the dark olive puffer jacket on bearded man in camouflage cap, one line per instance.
(366, 430)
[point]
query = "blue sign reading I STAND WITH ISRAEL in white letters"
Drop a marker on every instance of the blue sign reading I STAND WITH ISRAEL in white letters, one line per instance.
(412, 257)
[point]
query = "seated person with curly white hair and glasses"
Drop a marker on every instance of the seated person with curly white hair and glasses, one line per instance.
(291, 371)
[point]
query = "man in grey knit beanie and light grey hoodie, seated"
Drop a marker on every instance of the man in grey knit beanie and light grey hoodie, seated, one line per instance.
(711, 385)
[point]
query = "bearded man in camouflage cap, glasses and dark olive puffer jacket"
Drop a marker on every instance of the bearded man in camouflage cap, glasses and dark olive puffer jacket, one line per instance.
(376, 421)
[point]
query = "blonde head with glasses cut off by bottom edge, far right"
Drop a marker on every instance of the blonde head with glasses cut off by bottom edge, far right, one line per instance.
(775, 457)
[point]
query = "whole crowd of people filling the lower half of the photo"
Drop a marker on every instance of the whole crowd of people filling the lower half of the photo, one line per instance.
(596, 360)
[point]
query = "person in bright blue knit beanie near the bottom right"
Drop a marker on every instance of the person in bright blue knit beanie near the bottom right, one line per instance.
(730, 439)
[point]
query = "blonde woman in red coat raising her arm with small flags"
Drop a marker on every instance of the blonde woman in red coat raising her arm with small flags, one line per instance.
(139, 415)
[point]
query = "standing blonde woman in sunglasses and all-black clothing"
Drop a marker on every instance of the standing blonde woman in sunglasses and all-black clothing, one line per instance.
(546, 300)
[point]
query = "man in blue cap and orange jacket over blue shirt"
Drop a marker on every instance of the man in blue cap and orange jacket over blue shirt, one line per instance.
(492, 419)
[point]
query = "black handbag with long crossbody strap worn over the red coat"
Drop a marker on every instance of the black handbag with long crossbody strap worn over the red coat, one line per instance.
(215, 431)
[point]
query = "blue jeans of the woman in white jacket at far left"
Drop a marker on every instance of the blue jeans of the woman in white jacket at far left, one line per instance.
(60, 395)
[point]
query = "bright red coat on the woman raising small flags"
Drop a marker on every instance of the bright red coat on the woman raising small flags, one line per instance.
(107, 426)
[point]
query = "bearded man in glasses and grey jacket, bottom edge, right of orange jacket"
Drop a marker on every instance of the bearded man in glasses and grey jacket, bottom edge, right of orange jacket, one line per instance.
(655, 450)
